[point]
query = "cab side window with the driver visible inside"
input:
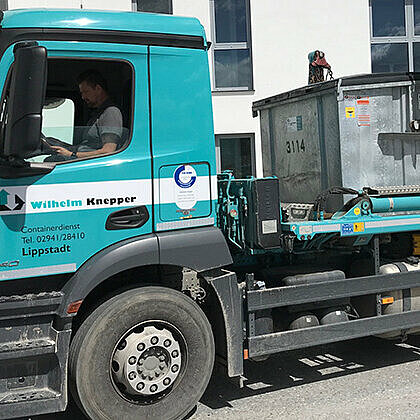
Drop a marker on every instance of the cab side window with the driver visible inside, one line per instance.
(87, 110)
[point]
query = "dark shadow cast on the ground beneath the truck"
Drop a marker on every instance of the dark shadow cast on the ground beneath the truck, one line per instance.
(296, 368)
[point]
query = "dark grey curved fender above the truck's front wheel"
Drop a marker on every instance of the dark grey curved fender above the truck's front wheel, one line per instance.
(187, 248)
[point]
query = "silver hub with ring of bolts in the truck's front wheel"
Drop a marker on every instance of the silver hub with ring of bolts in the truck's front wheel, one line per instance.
(147, 362)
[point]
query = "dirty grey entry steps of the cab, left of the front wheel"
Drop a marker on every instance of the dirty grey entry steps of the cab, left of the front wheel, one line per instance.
(33, 355)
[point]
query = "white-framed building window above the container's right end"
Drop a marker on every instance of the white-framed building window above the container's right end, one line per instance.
(395, 35)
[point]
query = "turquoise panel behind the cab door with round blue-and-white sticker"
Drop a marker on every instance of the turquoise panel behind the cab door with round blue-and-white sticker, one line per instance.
(183, 138)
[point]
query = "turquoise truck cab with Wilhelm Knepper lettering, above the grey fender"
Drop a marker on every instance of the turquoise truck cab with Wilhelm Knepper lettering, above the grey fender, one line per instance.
(164, 168)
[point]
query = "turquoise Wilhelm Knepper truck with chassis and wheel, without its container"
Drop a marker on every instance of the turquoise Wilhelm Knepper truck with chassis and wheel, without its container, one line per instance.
(125, 276)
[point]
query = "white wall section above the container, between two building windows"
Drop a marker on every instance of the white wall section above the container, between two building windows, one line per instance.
(284, 32)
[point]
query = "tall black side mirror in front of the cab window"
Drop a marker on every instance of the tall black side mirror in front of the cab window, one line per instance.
(26, 98)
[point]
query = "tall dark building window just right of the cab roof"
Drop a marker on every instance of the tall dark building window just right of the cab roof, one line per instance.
(232, 56)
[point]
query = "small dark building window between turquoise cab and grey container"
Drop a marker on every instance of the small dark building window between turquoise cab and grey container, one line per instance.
(236, 153)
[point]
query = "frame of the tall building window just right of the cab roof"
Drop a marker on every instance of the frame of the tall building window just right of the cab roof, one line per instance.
(217, 46)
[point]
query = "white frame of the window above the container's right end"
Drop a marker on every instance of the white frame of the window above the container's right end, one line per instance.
(410, 38)
